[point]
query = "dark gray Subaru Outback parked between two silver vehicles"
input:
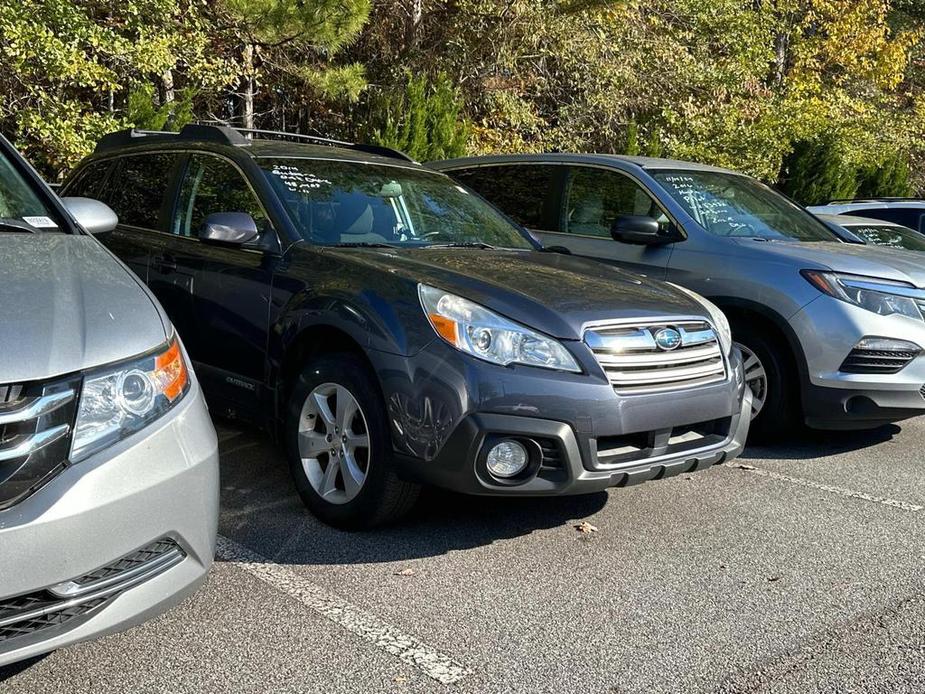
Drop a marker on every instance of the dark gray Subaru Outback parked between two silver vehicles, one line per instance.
(395, 329)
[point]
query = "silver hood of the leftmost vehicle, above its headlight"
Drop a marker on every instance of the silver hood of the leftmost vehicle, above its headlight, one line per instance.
(66, 305)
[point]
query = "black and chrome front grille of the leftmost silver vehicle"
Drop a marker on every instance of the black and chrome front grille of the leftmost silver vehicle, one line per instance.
(36, 421)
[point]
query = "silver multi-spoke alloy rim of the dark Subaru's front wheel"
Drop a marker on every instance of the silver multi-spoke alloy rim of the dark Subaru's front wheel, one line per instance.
(334, 443)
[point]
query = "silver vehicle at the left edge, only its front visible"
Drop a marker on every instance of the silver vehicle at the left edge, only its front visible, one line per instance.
(108, 459)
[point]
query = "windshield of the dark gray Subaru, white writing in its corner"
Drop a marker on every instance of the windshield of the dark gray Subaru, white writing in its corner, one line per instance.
(347, 203)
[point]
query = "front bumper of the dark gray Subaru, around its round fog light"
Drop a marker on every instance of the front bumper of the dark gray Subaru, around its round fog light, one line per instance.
(447, 408)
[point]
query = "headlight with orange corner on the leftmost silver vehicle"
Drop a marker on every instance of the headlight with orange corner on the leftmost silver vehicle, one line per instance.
(121, 399)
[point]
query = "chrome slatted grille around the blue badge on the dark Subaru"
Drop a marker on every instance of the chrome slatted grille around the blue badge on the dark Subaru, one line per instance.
(635, 363)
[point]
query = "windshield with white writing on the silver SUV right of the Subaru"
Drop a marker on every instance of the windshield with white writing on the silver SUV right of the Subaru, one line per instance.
(738, 206)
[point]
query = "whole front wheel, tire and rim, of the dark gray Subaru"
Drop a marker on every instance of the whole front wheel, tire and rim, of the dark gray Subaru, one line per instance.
(340, 452)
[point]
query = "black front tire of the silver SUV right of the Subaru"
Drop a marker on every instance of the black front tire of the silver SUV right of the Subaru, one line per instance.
(780, 416)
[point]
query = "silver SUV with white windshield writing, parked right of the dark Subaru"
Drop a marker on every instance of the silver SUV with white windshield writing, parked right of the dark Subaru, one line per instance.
(832, 333)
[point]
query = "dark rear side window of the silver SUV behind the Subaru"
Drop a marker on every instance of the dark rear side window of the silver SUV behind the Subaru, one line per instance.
(521, 191)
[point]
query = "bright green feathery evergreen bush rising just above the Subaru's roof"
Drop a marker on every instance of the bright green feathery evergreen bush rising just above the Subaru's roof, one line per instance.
(423, 120)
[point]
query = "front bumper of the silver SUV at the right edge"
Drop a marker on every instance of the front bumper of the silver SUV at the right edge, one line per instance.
(828, 329)
